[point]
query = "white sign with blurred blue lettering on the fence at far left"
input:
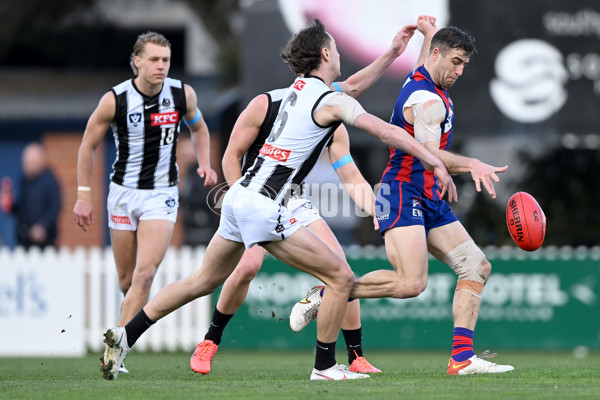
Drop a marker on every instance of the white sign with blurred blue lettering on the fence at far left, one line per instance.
(42, 305)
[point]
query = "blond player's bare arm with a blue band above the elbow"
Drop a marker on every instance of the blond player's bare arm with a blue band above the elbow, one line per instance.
(200, 137)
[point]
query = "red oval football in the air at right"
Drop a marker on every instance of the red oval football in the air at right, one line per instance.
(526, 221)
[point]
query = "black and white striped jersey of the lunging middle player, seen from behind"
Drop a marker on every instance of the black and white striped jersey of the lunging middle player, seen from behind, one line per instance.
(295, 143)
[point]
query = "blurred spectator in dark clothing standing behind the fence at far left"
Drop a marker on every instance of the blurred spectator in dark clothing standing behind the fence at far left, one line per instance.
(36, 210)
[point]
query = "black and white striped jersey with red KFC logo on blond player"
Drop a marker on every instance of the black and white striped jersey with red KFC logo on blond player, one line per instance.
(146, 131)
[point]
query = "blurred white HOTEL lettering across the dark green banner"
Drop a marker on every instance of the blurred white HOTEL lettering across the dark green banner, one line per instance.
(508, 297)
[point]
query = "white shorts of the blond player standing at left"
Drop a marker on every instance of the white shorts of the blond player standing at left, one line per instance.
(127, 206)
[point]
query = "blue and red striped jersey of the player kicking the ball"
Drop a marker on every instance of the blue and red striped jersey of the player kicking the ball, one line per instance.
(403, 166)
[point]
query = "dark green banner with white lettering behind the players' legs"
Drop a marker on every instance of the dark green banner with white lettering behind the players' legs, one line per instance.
(545, 302)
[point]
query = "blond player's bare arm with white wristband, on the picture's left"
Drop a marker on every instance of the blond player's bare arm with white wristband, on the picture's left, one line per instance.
(96, 128)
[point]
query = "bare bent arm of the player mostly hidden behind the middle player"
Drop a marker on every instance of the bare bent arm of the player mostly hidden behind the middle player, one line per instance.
(244, 133)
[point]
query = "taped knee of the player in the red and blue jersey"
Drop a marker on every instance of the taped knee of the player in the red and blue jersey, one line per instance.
(471, 266)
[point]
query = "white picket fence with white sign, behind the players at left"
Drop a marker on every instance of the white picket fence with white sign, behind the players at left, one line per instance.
(61, 302)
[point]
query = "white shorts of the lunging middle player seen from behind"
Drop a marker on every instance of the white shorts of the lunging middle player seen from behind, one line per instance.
(251, 218)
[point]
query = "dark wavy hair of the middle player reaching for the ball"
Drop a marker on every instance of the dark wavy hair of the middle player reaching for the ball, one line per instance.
(302, 53)
